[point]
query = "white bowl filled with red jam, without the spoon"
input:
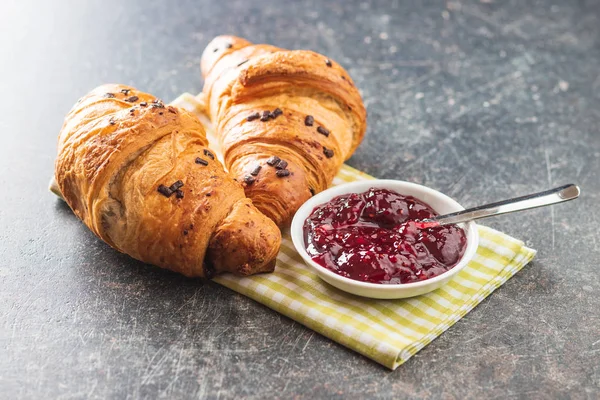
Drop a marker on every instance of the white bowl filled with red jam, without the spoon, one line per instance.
(364, 238)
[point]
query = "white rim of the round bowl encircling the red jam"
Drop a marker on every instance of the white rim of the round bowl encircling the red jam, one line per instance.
(297, 232)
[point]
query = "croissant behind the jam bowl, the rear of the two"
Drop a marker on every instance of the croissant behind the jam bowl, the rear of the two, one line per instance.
(286, 120)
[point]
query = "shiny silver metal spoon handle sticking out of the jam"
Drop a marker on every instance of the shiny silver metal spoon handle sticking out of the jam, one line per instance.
(545, 198)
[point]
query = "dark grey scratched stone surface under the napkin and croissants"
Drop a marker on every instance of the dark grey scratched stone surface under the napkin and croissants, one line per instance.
(482, 100)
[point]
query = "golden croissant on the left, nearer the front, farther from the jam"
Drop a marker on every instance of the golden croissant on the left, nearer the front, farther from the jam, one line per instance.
(140, 176)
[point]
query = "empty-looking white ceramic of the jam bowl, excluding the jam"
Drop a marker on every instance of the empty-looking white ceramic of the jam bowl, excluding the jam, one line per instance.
(438, 201)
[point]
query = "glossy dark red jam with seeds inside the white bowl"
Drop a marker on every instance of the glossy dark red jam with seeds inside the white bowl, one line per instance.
(374, 237)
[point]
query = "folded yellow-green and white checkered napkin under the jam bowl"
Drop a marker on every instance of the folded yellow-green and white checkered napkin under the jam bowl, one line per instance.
(387, 331)
